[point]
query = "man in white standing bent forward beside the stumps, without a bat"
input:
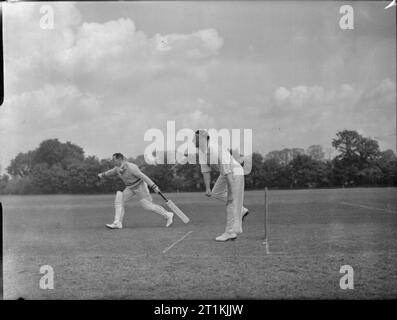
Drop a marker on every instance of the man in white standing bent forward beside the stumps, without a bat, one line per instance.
(229, 186)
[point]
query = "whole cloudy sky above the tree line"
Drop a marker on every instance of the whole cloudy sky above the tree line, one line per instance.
(108, 72)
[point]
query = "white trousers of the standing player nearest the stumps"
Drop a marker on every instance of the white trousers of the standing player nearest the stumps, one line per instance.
(234, 207)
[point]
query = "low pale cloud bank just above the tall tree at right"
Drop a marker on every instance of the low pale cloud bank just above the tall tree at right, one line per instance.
(315, 113)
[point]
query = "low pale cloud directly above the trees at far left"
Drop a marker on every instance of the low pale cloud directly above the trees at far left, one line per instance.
(54, 111)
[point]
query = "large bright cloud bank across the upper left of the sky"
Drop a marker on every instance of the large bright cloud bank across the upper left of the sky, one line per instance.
(92, 55)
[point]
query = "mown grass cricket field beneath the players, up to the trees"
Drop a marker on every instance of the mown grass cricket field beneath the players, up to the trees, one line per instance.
(312, 234)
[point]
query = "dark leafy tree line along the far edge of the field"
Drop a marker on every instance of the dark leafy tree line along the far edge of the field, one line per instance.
(55, 167)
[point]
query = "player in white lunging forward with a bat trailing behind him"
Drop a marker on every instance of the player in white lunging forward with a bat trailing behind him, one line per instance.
(136, 185)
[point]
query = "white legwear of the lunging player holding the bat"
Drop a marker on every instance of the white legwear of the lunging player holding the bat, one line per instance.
(144, 197)
